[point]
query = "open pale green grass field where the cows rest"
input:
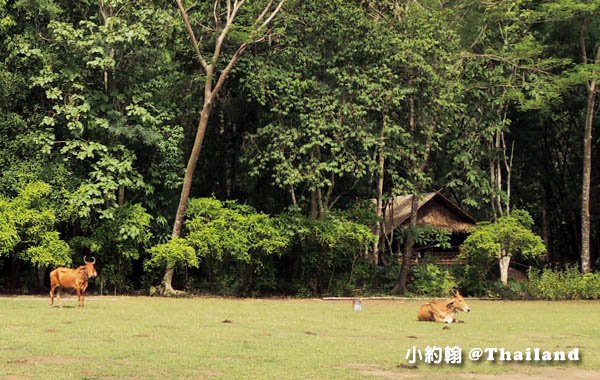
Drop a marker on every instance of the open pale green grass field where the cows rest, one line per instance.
(157, 338)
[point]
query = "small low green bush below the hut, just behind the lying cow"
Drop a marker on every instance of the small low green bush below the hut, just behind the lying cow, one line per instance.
(433, 280)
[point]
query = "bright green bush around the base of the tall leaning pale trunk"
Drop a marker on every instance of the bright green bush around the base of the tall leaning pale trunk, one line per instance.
(235, 243)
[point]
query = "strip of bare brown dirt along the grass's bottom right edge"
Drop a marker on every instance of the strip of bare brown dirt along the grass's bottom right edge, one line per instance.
(524, 373)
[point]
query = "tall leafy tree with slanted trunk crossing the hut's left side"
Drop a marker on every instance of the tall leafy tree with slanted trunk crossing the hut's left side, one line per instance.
(432, 103)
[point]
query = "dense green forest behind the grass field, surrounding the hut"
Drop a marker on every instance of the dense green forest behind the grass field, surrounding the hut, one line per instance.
(249, 147)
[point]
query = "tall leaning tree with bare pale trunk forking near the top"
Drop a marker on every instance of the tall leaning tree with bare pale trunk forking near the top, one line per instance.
(249, 27)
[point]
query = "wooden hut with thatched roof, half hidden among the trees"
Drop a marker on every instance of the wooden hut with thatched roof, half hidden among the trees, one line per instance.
(434, 210)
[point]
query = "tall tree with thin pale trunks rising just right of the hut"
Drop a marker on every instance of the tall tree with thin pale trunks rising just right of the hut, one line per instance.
(506, 69)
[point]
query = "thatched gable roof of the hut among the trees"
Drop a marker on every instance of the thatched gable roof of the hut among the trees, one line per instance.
(434, 209)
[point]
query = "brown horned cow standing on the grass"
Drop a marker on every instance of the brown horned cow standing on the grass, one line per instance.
(72, 278)
